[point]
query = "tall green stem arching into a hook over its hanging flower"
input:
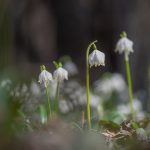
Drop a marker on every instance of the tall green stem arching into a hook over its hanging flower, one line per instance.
(88, 84)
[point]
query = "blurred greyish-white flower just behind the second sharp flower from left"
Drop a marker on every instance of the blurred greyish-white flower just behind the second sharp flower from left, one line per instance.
(71, 68)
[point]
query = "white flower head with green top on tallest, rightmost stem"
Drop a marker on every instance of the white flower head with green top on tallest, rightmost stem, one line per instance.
(124, 45)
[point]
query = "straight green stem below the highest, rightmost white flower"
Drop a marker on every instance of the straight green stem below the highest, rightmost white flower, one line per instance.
(128, 73)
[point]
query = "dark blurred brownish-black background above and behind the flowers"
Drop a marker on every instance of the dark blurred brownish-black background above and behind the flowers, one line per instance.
(33, 32)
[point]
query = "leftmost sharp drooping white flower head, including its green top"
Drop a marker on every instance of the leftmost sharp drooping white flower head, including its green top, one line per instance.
(45, 77)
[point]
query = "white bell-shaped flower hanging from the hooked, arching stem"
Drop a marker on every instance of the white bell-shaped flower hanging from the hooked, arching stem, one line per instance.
(96, 58)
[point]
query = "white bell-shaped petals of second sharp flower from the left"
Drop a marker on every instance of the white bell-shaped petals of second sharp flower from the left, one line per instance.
(60, 74)
